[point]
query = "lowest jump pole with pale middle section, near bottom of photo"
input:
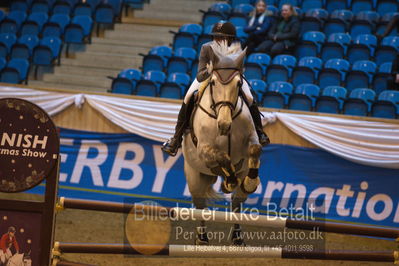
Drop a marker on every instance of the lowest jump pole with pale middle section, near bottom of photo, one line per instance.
(225, 252)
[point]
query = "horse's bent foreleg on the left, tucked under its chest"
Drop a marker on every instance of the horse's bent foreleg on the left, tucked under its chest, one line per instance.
(220, 164)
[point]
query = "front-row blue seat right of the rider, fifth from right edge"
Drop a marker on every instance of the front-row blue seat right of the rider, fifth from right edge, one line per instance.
(277, 94)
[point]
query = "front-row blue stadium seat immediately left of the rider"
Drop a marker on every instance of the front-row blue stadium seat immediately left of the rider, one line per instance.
(175, 86)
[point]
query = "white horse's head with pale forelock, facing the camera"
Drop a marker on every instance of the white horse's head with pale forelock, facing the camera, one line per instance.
(226, 81)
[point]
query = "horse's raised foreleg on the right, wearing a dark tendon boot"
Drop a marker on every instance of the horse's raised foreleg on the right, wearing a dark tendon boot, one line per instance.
(251, 181)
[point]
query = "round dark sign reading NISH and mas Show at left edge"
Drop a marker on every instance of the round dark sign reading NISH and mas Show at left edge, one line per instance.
(29, 145)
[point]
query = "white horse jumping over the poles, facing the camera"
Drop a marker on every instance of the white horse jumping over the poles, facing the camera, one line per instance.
(223, 140)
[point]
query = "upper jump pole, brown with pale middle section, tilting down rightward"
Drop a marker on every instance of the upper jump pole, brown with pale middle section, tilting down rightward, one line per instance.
(228, 217)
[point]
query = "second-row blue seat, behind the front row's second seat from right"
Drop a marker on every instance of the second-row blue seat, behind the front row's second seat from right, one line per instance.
(361, 75)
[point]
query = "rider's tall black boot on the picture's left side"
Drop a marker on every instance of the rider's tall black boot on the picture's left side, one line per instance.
(172, 145)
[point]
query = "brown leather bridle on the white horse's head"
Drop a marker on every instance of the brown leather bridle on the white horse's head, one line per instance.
(215, 106)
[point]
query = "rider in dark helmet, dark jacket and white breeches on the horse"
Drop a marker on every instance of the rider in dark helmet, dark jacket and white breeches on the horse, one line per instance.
(221, 31)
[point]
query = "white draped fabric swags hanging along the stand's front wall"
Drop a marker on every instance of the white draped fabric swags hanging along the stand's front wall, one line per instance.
(365, 142)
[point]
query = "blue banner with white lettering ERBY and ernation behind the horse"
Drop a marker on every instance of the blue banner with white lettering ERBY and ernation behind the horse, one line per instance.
(113, 167)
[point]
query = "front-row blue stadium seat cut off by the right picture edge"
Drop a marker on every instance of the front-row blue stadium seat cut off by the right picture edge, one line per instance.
(387, 105)
